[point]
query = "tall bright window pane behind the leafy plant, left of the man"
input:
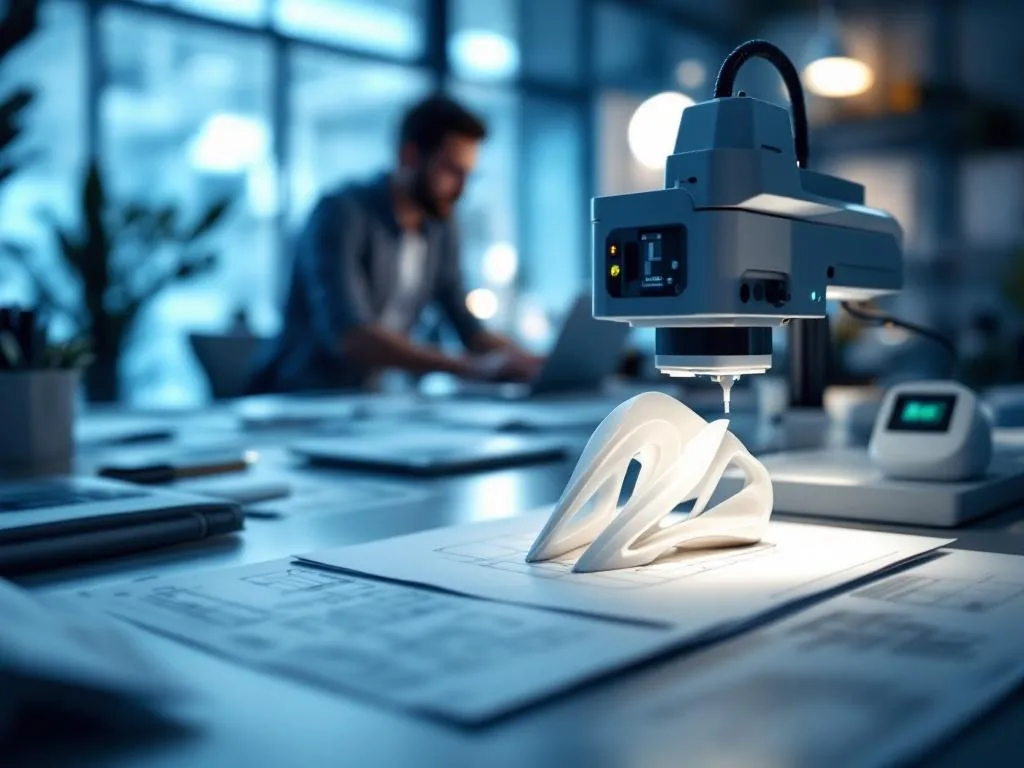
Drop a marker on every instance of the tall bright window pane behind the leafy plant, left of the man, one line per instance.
(186, 119)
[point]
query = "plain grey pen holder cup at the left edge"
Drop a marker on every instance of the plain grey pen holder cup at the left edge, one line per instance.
(37, 422)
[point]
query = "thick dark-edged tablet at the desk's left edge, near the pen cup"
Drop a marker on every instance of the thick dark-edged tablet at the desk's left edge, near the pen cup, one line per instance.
(58, 522)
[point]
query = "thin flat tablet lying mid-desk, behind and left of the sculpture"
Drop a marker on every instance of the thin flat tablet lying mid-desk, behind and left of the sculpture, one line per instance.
(422, 453)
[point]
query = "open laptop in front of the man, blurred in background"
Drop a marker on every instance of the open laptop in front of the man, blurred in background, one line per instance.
(586, 353)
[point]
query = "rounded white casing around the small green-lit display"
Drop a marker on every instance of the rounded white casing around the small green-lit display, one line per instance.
(962, 452)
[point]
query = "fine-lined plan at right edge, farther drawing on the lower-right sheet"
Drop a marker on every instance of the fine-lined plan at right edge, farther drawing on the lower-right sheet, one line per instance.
(970, 596)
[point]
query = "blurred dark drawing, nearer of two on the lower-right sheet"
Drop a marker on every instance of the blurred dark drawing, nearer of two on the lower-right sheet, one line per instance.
(894, 634)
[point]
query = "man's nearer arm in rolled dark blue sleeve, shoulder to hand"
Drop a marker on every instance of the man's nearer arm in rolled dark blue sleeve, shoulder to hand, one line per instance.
(336, 285)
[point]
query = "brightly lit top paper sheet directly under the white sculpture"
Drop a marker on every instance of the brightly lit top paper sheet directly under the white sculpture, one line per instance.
(695, 592)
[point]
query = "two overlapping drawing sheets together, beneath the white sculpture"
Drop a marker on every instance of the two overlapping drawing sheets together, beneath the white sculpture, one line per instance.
(474, 660)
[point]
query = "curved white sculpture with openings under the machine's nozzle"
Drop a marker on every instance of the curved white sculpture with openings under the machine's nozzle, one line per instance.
(682, 458)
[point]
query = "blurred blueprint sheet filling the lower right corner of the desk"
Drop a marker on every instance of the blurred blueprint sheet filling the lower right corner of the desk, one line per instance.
(874, 677)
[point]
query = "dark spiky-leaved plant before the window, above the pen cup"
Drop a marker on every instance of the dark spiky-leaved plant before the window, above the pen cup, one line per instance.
(121, 258)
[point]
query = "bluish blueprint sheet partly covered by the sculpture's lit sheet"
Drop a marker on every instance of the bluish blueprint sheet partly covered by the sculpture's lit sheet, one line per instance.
(449, 656)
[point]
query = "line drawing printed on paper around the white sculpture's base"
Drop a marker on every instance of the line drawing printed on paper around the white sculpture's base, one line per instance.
(509, 552)
